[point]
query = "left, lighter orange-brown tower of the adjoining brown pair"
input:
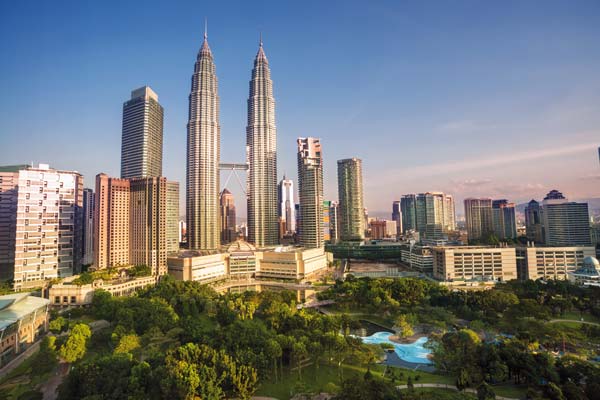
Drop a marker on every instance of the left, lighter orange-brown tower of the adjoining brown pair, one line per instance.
(111, 222)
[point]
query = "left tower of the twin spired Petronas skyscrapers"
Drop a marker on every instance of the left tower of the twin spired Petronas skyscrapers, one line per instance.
(203, 155)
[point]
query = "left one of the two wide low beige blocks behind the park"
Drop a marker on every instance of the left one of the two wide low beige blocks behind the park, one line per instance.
(451, 263)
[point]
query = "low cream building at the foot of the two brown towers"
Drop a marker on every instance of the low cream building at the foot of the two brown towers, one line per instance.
(66, 293)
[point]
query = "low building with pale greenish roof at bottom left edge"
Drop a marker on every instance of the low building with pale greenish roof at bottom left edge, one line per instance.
(23, 319)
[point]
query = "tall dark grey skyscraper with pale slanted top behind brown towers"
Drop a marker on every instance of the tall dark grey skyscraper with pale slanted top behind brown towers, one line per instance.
(141, 146)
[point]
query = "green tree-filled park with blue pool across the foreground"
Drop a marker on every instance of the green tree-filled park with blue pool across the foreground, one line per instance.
(183, 340)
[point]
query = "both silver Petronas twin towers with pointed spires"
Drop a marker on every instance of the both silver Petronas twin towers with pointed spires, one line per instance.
(203, 155)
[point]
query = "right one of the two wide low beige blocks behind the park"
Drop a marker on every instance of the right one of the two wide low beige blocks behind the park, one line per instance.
(551, 262)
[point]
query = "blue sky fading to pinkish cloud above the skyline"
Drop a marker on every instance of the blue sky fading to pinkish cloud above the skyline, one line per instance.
(495, 99)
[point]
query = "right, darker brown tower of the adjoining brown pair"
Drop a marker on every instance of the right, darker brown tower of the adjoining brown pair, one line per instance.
(148, 223)
